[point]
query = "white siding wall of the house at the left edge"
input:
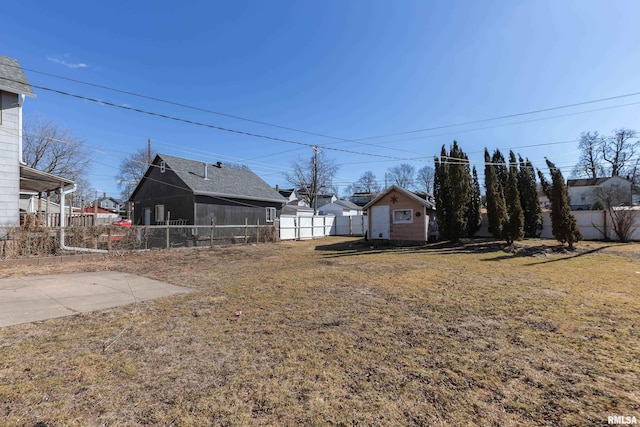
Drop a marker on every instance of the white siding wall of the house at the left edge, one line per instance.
(9, 164)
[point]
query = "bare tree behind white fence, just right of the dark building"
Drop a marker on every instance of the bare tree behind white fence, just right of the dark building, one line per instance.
(312, 177)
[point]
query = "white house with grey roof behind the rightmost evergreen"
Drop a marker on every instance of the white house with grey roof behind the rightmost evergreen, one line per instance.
(583, 192)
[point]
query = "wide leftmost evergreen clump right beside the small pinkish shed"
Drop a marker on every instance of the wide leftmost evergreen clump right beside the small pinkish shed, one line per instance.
(452, 190)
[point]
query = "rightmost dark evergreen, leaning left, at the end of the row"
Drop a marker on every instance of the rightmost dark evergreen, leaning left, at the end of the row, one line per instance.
(563, 223)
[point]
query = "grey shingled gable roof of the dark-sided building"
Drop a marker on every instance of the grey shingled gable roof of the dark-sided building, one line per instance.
(222, 181)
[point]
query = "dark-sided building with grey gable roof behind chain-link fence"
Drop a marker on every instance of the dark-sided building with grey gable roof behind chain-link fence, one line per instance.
(198, 193)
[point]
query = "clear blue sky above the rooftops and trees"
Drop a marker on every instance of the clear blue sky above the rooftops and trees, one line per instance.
(343, 69)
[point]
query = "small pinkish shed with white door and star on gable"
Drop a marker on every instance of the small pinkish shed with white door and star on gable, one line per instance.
(400, 215)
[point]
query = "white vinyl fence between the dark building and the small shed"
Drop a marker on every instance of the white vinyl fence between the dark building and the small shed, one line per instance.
(294, 227)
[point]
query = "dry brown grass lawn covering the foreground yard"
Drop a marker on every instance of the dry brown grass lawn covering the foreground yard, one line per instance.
(336, 332)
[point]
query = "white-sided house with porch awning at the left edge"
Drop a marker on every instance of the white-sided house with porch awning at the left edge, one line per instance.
(15, 176)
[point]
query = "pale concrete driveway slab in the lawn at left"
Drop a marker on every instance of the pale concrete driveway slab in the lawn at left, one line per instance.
(32, 298)
